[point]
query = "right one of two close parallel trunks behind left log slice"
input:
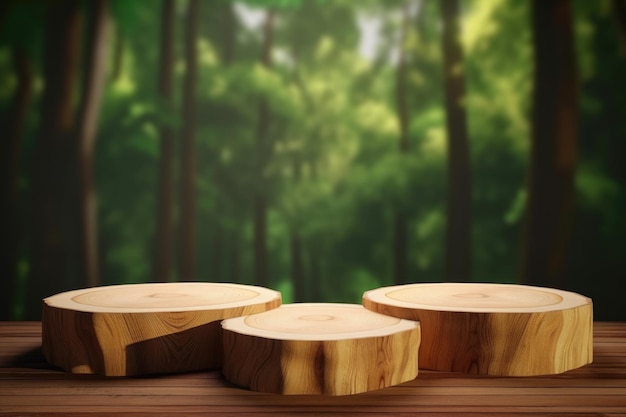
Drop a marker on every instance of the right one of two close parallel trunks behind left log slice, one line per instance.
(188, 174)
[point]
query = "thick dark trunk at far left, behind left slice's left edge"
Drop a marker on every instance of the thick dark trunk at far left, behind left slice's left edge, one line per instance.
(53, 154)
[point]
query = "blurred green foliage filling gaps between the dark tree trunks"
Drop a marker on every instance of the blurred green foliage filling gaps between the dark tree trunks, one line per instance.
(334, 173)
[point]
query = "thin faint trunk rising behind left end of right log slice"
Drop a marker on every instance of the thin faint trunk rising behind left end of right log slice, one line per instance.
(400, 223)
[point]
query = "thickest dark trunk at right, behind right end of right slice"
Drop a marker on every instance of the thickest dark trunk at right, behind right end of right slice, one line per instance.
(550, 204)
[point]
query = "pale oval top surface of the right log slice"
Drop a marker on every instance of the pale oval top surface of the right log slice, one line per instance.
(477, 297)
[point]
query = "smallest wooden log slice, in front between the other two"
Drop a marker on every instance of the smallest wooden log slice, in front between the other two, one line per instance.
(333, 349)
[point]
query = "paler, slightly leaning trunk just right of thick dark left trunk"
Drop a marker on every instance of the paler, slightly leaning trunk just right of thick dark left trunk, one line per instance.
(89, 113)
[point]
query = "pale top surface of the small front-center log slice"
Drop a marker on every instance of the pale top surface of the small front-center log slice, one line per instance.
(318, 321)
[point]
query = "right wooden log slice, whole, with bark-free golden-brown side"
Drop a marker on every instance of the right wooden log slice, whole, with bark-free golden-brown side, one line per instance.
(493, 329)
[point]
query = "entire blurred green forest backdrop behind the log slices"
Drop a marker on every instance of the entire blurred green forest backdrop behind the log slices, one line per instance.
(318, 147)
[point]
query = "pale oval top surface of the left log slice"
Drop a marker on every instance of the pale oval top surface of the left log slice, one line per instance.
(162, 297)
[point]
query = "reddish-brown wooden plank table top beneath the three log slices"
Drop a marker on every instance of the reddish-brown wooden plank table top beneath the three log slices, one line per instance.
(30, 386)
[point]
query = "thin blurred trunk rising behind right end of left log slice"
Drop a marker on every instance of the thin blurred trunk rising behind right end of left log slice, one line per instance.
(263, 151)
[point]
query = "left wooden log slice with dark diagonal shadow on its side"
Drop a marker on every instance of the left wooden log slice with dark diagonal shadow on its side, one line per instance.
(140, 329)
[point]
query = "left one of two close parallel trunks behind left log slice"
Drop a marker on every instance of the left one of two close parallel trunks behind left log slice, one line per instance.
(164, 229)
